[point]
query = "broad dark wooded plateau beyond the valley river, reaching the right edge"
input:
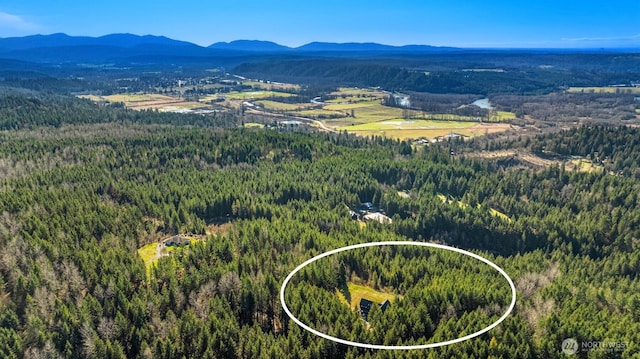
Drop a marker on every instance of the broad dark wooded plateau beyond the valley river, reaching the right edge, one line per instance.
(480, 73)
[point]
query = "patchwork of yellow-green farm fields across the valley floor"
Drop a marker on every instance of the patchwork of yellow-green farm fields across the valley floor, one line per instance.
(355, 110)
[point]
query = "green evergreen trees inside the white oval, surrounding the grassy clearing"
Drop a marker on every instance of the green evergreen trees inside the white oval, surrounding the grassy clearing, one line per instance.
(439, 294)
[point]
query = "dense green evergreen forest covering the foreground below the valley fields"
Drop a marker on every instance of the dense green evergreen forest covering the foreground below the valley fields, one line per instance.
(84, 186)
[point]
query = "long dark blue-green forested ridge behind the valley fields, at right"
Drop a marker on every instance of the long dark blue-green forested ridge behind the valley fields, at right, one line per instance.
(458, 77)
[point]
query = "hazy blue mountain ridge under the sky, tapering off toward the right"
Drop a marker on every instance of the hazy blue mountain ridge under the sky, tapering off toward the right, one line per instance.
(64, 48)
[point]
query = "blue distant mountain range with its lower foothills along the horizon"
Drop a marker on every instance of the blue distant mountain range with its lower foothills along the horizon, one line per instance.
(128, 50)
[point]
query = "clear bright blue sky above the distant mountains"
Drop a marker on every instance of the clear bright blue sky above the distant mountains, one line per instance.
(470, 23)
